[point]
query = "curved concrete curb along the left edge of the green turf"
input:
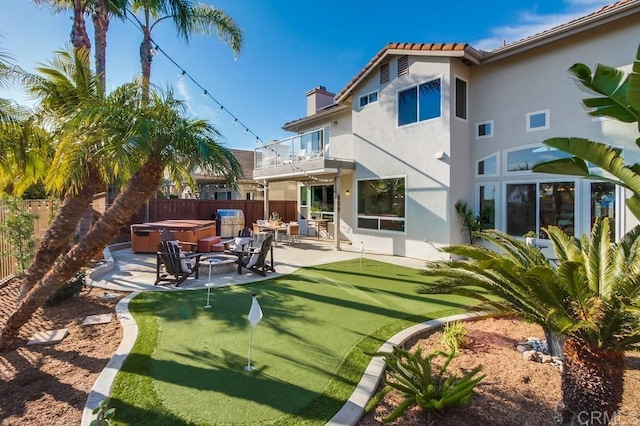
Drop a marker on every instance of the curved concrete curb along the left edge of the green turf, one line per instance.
(102, 387)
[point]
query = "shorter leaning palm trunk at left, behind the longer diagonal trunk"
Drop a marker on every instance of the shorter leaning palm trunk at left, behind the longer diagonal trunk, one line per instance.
(58, 235)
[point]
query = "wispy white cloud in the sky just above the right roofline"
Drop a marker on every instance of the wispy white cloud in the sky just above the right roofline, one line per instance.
(530, 22)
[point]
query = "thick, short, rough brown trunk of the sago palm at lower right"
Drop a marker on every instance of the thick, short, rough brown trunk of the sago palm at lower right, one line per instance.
(592, 384)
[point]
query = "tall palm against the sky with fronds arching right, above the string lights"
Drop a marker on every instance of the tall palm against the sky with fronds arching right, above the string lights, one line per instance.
(188, 18)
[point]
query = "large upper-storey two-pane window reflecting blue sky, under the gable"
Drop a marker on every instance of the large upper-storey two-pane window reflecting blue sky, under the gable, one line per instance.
(419, 103)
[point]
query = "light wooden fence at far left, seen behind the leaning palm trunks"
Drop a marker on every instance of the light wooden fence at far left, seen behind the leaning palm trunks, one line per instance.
(45, 210)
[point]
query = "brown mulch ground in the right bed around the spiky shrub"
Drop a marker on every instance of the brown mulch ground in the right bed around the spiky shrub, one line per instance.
(514, 391)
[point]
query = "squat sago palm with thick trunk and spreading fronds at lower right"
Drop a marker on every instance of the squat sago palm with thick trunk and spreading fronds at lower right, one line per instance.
(591, 298)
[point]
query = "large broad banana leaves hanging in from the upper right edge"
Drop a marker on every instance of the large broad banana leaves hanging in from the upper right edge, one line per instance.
(619, 99)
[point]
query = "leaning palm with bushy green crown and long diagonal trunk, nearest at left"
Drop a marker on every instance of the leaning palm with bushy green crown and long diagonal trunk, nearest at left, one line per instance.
(137, 144)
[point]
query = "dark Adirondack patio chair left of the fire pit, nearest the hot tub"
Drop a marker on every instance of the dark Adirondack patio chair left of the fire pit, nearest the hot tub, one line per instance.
(174, 265)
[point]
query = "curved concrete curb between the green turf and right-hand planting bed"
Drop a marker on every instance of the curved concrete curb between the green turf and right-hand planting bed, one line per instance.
(352, 410)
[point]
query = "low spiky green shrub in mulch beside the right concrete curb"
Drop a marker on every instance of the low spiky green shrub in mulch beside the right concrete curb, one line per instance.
(421, 384)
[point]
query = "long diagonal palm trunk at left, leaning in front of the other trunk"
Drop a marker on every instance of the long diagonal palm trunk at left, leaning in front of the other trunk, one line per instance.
(144, 183)
